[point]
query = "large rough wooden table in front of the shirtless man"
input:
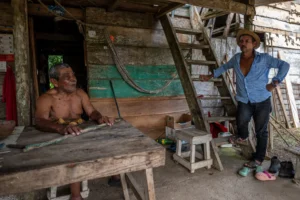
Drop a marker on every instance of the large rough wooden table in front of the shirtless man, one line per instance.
(119, 149)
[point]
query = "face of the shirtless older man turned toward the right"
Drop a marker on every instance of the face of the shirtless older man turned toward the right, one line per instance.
(67, 80)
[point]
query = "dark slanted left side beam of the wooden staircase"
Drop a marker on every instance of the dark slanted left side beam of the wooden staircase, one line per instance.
(183, 72)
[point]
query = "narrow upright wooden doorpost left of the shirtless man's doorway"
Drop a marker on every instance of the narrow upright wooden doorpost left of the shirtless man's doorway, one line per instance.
(33, 59)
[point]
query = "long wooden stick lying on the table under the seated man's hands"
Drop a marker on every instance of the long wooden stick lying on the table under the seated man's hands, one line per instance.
(60, 139)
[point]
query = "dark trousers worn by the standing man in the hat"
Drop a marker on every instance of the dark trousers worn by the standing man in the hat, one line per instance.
(261, 114)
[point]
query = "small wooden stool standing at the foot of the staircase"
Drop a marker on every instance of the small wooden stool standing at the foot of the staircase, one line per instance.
(193, 137)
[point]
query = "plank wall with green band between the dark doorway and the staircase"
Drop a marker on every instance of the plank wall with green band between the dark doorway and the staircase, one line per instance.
(142, 47)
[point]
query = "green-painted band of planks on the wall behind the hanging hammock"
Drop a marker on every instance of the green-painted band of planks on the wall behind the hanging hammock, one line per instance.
(147, 77)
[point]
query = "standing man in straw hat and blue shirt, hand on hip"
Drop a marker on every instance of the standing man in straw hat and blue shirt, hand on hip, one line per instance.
(253, 90)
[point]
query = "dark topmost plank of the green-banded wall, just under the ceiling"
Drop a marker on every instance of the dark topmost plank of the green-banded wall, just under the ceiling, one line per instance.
(121, 18)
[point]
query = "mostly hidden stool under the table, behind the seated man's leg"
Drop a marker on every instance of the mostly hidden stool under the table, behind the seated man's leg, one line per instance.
(52, 194)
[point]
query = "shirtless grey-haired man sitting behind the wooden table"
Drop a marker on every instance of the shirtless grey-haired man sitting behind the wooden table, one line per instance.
(65, 102)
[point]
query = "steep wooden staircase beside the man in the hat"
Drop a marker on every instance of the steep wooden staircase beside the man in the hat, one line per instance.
(201, 41)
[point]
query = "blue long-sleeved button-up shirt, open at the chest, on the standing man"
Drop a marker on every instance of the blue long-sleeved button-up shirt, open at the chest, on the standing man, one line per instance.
(253, 86)
